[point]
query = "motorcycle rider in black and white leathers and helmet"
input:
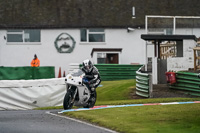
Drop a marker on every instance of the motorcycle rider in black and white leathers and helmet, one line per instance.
(92, 74)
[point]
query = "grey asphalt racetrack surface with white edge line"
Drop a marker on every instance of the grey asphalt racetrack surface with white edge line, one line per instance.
(43, 121)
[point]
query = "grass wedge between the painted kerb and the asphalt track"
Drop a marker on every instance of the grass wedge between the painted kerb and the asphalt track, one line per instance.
(146, 119)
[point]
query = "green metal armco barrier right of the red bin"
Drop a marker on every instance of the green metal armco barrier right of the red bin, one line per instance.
(188, 82)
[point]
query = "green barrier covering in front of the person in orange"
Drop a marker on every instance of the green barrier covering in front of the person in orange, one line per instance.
(17, 73)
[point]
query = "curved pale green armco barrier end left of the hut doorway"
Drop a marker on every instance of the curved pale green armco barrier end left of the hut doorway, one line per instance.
(143, 84)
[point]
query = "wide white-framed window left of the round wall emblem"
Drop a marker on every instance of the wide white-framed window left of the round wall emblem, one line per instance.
(23, 36)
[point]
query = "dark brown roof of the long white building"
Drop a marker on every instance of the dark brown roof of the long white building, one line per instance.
(90, 13)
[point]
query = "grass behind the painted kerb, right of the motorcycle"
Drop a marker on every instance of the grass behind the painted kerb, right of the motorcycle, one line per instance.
(118, 92)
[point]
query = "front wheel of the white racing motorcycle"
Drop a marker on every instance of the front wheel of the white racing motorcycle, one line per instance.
(68, 103)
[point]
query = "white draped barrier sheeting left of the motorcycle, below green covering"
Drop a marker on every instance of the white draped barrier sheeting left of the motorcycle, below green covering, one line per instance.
(29, 94)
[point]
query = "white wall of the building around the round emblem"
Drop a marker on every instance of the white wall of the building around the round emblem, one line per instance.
(21, 55)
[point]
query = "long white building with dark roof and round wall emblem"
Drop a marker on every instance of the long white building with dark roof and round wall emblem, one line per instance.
(105, 31)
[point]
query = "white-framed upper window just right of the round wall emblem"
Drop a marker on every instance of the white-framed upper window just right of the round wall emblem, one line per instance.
(92, 35)
